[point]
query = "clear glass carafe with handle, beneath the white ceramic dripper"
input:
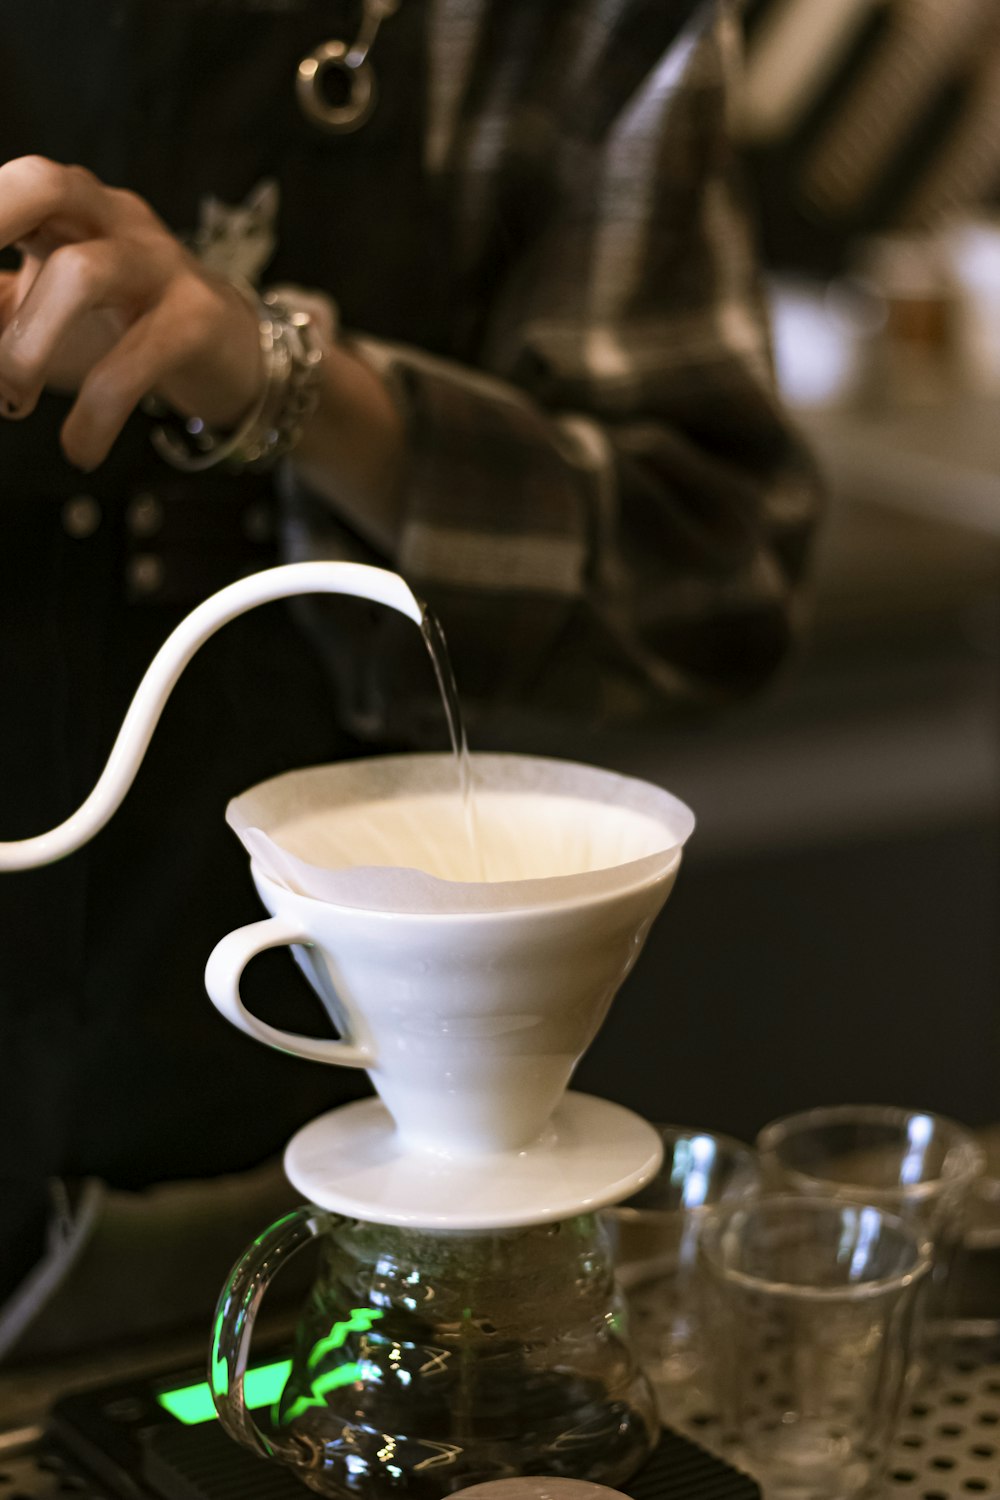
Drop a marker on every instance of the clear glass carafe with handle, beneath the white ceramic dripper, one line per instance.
(427, 1361)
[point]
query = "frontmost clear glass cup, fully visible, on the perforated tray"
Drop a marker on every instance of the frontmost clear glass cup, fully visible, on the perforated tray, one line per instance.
(813, 1307)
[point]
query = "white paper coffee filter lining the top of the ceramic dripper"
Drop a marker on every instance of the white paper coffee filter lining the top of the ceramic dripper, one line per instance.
(394, 833)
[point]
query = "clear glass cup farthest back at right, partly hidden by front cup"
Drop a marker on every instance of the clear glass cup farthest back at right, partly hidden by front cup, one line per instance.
(912, 1163)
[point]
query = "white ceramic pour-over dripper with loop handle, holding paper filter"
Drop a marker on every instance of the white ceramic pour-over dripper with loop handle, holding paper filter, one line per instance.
(467, 1001)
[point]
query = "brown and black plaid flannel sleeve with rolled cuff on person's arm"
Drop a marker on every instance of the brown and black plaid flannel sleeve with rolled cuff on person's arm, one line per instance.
(611, 514)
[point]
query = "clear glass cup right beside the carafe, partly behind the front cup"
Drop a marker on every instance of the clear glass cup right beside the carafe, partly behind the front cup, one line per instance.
(654, 1244)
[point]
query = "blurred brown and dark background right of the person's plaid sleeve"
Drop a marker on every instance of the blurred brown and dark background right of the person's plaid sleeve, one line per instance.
(834, 935)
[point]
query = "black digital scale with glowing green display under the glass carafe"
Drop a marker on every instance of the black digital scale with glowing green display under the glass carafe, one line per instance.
(158, 1439)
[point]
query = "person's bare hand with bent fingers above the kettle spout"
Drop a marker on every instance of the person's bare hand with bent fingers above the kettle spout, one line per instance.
(107, 304)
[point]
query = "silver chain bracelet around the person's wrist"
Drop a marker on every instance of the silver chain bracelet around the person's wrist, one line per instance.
(293, 352)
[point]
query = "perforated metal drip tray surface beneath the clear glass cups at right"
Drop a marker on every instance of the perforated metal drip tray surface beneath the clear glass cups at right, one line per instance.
(948, 1447)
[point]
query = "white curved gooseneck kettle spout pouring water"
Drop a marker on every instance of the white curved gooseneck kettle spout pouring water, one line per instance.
(260, 589)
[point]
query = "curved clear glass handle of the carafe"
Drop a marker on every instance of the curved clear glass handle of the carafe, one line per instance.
(233, 1331)
